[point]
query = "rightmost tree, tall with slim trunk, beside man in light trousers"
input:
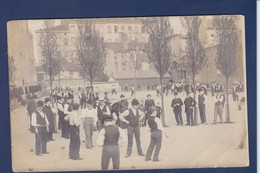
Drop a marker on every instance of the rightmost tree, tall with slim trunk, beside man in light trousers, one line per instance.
(226, 60)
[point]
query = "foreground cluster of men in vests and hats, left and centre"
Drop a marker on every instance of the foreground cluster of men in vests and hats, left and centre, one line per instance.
(109, 122)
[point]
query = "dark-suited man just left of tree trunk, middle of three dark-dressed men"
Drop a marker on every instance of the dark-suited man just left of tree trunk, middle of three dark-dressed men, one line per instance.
(189, 105)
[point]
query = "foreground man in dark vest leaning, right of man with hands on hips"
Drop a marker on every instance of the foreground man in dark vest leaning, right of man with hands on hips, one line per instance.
(156, 129)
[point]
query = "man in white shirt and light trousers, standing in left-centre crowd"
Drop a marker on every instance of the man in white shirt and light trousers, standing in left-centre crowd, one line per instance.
(89, 117)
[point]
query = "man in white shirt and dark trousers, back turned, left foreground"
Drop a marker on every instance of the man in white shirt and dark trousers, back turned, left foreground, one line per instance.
(74, 121)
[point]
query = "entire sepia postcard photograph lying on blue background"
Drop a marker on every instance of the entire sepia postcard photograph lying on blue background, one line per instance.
(128, 93)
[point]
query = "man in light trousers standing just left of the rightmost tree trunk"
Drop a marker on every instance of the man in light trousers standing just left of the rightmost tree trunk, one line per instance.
(219, 104)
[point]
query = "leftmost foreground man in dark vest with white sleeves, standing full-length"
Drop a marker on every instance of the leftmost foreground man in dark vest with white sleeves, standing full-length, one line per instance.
(41, 127)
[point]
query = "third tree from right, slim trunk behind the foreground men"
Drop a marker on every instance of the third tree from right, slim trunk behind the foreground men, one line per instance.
(159, 49)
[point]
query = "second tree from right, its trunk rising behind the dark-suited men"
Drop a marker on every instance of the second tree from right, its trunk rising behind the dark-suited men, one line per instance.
(195, 54)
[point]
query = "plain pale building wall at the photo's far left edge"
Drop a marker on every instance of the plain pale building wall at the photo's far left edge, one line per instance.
(20, 48)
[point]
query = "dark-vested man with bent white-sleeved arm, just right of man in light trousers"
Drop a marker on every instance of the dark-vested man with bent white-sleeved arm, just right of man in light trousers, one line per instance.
(102, 112)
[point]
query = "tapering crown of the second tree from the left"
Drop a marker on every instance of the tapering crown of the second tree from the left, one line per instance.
(91, 51)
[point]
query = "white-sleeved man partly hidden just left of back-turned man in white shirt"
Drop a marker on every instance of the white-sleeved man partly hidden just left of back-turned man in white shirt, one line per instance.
(65, 124)
